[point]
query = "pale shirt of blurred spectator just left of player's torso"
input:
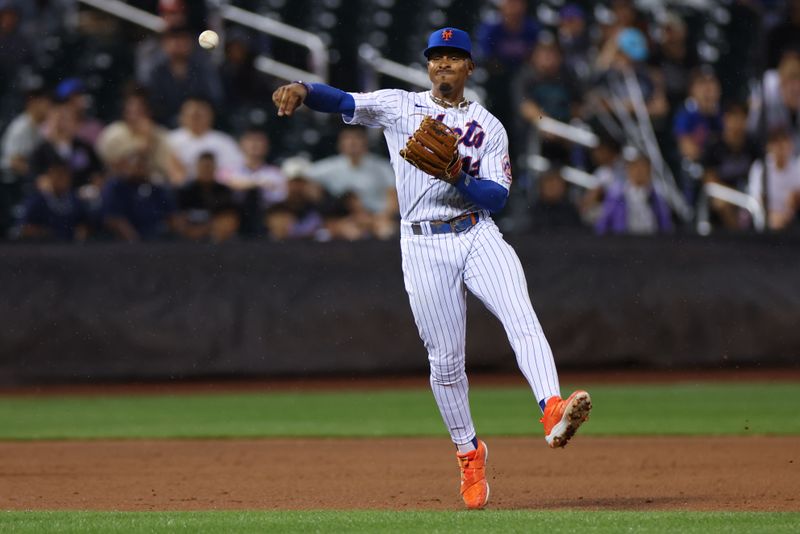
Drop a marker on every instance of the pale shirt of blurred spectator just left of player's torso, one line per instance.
(370, 180)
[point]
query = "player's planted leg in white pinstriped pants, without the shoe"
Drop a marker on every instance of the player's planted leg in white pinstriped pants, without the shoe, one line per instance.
(432, 276)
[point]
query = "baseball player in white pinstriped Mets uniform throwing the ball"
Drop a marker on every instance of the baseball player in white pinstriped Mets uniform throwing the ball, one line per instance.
(450, 159)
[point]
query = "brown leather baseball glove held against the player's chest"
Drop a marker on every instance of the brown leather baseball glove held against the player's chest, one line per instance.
(434, 150)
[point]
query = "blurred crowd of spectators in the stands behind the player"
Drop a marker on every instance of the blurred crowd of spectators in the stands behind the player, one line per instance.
(164, 145)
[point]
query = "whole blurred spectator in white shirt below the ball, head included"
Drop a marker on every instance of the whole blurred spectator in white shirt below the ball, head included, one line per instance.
(196, 136)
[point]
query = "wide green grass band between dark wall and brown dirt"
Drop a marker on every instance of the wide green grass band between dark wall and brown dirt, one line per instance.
(683, 409)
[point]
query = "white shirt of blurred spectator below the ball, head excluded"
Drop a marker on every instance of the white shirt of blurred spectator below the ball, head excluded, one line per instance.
(188, 147)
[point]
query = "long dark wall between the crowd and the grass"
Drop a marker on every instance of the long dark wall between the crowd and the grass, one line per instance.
(113, 311)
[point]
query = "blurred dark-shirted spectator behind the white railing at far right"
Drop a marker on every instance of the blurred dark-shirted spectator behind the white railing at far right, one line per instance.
(728, 161)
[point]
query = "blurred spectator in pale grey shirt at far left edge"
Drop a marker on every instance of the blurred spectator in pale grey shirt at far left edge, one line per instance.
(24, 134)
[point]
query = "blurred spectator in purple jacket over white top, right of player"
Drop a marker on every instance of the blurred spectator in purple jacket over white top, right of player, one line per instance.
(635, 206)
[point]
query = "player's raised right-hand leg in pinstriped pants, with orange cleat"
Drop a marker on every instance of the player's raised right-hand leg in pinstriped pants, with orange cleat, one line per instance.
(494, 274)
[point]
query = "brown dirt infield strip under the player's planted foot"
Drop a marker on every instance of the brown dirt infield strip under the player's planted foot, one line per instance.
(720, 473)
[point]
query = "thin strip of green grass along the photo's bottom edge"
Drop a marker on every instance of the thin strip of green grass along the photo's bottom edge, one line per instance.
(373, 521)
